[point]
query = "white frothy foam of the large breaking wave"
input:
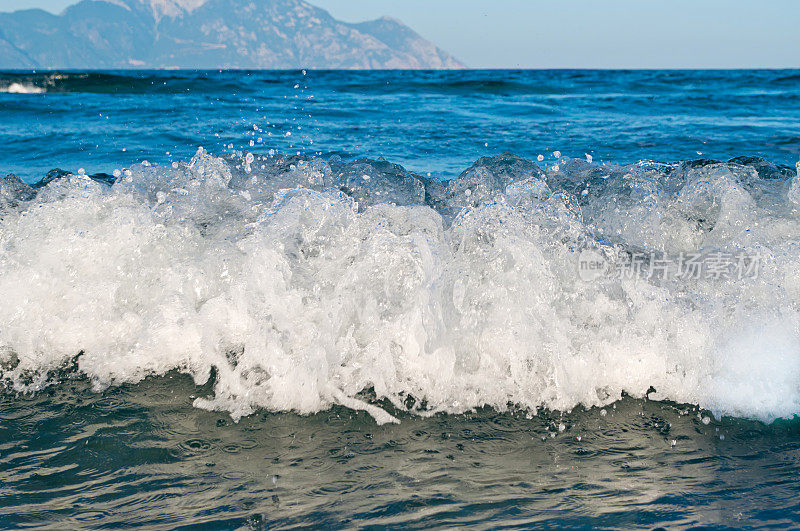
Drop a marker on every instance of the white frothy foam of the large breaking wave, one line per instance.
(301, 284)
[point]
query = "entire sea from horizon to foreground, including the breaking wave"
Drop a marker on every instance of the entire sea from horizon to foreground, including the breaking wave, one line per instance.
(354, 299)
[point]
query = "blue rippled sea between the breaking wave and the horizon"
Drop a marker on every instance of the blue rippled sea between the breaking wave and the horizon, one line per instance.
(438, 122)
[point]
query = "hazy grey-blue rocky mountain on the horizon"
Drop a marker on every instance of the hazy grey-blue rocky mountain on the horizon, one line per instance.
(208, 34)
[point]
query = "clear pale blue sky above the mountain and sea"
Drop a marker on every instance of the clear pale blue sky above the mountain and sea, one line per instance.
(585, 33)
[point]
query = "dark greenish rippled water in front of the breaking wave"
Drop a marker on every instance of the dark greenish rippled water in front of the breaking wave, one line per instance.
(143, 456)
